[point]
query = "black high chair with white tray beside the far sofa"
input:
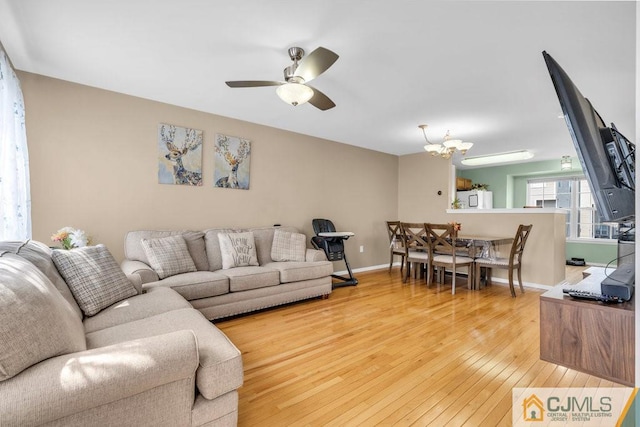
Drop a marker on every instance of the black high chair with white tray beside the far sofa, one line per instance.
(331, 242)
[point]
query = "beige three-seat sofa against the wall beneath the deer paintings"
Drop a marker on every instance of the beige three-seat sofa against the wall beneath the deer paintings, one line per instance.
(284, 270)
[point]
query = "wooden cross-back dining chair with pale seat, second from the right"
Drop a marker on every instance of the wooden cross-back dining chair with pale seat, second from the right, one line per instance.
(443, 253)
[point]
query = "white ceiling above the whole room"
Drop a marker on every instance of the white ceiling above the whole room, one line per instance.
(473, 67)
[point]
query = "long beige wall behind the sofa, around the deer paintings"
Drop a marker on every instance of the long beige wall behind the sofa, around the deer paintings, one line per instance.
(93, 157)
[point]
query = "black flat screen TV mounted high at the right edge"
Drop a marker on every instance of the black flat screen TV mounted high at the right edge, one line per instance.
(606, 156)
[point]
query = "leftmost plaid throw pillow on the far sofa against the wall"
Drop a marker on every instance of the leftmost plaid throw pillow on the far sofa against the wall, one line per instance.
(168, 256)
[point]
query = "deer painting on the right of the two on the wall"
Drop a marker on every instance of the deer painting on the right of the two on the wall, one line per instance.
(232, 161)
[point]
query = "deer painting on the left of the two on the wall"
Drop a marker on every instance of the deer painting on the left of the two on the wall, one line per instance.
(179, 155)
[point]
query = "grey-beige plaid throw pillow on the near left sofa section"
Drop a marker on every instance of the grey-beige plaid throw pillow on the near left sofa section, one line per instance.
(94, 277)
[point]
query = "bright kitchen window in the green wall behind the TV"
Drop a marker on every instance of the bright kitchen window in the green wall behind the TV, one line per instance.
(573, 194)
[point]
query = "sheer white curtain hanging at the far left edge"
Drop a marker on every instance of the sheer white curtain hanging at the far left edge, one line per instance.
(15, 198)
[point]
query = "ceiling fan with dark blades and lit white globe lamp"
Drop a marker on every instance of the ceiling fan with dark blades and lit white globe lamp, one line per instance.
(295, 90)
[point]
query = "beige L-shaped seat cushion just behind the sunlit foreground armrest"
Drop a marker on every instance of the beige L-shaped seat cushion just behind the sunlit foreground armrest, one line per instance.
(220, 369)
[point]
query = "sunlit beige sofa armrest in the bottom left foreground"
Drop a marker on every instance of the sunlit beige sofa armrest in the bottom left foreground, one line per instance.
(77, 382)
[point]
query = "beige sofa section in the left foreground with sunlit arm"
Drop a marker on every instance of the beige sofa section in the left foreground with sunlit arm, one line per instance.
(149, 359)
